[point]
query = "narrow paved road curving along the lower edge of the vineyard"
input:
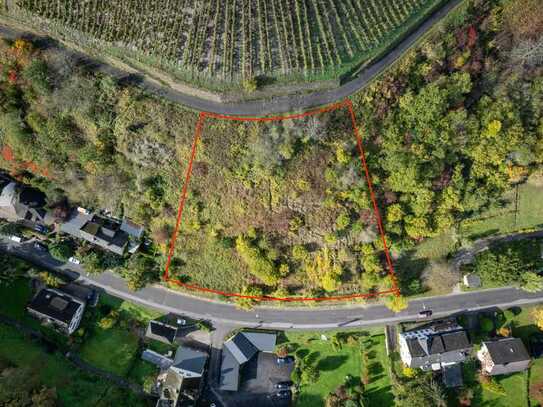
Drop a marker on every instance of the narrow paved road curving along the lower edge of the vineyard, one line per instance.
(282, 104)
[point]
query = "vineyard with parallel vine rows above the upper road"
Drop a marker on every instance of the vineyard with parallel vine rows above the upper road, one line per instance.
(225, 41)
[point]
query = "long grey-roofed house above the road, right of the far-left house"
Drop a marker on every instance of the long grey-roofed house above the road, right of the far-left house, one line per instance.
(102, 231)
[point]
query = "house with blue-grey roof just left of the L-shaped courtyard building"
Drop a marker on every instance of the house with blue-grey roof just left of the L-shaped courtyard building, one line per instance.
(183, 377)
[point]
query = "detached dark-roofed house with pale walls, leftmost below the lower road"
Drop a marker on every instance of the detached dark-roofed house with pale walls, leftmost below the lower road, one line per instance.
(58, 308)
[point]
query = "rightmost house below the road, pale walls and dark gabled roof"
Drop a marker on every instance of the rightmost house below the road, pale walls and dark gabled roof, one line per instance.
(503, 356)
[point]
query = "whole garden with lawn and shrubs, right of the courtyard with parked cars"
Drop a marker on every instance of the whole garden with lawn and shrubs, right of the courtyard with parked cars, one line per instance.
(339, 366)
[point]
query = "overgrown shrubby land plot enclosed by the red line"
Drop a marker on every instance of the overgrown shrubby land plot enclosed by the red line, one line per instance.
(280, 208)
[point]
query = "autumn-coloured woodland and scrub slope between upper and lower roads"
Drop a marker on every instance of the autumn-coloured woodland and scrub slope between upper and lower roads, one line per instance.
(283, 208)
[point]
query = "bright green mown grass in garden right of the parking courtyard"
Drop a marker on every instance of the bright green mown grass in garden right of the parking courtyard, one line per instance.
(334, 366)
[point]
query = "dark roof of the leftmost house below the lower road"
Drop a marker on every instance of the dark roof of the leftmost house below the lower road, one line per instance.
(56, 305)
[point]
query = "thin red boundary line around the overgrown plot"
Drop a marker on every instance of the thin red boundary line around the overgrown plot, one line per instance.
(197, 136)
